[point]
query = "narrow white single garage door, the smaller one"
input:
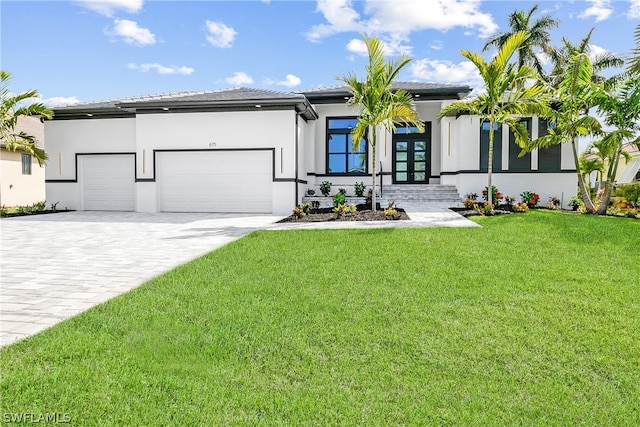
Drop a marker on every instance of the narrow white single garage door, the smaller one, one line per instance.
(108, 182)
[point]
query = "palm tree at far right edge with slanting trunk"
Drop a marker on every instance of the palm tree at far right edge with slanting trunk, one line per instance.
(621, 109)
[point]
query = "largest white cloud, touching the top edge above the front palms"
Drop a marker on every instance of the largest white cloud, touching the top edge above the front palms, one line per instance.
(397, 19)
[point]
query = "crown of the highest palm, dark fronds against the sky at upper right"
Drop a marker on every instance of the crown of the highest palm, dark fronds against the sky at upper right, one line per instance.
(539, 36)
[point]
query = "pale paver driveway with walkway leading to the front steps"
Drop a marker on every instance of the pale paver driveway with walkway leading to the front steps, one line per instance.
(53, 267)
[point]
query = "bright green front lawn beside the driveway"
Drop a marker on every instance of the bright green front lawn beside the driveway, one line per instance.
(533, 319)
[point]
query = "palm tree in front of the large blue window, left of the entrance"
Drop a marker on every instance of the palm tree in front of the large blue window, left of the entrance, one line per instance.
(379, 105)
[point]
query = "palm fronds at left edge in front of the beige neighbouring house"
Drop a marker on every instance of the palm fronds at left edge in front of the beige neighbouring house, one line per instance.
(10, 111)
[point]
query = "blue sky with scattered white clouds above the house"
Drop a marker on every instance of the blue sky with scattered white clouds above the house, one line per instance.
(74, 51)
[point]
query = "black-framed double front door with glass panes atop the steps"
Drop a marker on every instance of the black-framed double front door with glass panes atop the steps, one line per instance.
(411, 157)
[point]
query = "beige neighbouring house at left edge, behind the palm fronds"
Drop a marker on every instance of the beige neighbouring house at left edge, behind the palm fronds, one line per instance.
(21, 177)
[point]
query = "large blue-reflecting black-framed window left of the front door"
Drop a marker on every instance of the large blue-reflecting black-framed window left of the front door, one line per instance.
(342, 156)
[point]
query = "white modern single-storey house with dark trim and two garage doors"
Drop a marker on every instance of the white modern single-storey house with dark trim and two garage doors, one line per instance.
(250, 150)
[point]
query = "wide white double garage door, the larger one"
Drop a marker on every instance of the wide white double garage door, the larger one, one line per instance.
(215, 181)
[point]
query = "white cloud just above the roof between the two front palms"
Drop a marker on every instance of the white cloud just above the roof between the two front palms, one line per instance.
(443, 71)
